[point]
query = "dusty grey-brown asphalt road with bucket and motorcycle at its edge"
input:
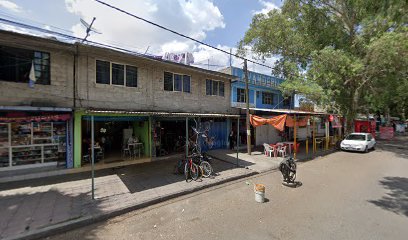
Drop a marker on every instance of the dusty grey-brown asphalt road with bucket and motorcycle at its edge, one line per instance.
(343, 196)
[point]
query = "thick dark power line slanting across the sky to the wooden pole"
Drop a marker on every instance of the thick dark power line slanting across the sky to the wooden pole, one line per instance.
(179, 34)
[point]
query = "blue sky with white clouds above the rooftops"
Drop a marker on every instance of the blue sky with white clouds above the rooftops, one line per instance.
(221, 23)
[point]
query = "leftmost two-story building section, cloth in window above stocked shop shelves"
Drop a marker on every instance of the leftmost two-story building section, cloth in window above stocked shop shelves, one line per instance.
(35, 118)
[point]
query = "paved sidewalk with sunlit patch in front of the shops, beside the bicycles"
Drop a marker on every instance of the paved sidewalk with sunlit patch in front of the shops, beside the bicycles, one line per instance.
(36, 208)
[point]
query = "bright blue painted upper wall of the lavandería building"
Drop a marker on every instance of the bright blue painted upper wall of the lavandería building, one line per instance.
(258, 83)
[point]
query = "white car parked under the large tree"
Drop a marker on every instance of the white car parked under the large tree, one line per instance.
(361, 142)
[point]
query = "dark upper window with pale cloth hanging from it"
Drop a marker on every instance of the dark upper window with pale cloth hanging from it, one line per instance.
(16, 65)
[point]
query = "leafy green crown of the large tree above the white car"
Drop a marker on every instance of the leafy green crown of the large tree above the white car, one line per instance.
(337, 52)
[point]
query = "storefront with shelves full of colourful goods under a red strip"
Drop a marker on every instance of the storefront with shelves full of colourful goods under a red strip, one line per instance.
(35, 138)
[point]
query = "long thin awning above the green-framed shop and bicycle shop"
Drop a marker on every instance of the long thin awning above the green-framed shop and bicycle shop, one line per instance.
(159, 114)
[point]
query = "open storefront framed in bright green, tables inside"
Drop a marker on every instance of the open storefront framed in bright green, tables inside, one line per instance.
(117, 137)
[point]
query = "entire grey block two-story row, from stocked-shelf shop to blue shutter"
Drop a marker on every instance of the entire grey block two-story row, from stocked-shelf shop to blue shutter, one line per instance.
(82, 90)
